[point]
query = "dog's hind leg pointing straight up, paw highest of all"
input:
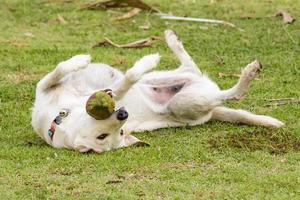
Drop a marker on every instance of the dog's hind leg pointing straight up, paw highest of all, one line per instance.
(176, 46)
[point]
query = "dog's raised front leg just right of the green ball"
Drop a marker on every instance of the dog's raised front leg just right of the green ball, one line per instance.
(142, 66)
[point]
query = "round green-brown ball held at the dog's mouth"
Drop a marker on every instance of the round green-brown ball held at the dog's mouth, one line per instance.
(100, 105)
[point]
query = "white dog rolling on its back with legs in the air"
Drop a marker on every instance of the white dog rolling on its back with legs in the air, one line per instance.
(153, 100)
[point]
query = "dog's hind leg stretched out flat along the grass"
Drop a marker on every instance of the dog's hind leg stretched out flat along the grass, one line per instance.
(244, 117)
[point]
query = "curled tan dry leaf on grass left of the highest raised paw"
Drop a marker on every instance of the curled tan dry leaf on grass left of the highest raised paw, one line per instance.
(137, 44)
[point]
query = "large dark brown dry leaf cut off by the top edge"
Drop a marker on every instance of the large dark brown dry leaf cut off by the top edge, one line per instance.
(119, 4)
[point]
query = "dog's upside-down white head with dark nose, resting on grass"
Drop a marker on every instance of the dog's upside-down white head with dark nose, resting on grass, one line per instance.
(100, 135)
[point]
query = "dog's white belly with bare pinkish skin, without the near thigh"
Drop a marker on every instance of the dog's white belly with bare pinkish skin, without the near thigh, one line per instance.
(150, 96)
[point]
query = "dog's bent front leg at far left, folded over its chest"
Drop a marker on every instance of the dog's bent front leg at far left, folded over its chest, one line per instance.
(63, 68)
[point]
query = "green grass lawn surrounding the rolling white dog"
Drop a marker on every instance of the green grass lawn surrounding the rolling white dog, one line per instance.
(212, 161)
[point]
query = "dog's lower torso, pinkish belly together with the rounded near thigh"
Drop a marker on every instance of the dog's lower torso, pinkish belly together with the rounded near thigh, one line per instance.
(185, 96)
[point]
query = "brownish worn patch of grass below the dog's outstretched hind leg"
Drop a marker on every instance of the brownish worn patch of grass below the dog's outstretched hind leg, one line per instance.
(273, 142)
